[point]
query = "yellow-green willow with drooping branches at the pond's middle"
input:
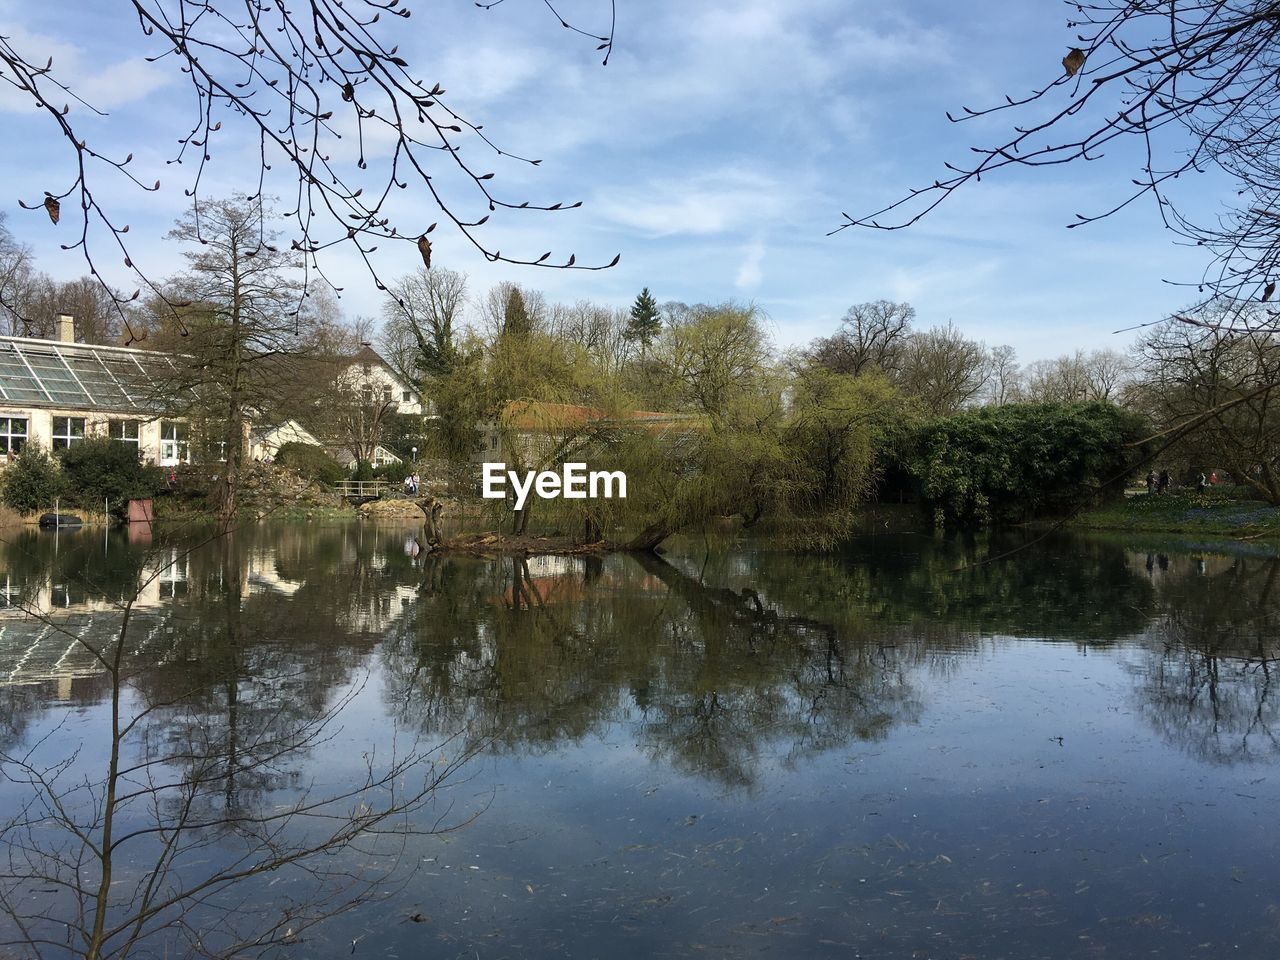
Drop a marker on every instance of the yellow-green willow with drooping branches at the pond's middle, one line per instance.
(739, 437)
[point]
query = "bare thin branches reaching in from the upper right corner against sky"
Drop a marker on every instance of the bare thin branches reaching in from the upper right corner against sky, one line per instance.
(1191, 83)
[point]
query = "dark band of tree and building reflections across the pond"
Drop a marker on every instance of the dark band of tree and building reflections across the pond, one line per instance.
(723, 655)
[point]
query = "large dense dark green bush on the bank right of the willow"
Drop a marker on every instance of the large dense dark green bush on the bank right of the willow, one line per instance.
(1023, 460)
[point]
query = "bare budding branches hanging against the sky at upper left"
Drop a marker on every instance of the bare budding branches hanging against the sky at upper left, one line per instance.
(303, 83)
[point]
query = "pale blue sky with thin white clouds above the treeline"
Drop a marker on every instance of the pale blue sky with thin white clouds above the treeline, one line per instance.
(715, 153)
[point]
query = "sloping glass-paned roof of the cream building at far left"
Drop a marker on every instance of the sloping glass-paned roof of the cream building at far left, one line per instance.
(81, 376)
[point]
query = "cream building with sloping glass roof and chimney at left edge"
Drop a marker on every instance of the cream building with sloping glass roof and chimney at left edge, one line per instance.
(60, 392)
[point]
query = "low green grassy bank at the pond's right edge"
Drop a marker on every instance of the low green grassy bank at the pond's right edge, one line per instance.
(1214, 513)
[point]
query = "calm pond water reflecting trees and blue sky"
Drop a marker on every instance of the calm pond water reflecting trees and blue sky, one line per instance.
(898, 752)
